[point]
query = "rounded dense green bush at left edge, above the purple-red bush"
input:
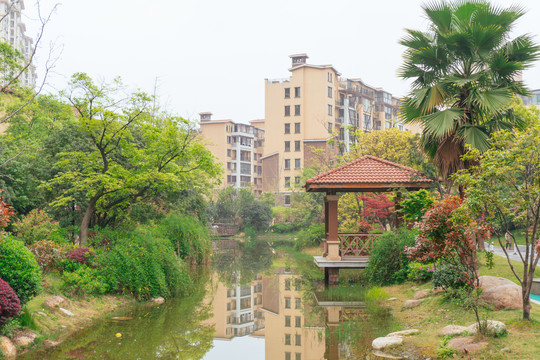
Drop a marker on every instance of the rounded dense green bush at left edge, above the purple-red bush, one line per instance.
(19, 268)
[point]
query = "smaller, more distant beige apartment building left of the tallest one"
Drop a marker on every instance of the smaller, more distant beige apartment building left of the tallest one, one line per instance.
(239, 147)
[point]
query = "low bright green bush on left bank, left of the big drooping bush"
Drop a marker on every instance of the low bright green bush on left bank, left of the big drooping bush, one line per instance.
(84, 281)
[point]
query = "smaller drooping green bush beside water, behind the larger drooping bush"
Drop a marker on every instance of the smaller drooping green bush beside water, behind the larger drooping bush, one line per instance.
(189, 237)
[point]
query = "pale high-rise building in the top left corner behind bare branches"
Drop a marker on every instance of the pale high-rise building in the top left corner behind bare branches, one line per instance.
(12, 31)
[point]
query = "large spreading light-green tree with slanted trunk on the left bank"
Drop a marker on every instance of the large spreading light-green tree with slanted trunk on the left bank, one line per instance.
(135, 152)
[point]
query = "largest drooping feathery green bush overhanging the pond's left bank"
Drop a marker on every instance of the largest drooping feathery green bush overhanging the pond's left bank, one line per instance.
(145, 266)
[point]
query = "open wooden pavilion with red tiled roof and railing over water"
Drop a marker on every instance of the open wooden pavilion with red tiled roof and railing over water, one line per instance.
(365, 174)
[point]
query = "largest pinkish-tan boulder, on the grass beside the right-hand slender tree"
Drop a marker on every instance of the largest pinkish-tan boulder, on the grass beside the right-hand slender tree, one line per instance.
(501, 293)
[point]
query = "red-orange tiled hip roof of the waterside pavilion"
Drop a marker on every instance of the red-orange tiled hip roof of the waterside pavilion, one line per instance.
(368, 173)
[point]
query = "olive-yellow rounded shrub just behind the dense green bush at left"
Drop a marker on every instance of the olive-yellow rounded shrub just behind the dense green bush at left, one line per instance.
(35, 226)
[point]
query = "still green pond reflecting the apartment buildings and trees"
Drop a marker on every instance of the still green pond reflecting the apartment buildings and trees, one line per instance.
(246, 305)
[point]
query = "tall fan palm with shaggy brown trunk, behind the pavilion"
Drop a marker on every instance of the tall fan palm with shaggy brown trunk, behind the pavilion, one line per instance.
(465, 71)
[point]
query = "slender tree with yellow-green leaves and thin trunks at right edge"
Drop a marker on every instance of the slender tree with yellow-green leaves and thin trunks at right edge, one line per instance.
(504, 186)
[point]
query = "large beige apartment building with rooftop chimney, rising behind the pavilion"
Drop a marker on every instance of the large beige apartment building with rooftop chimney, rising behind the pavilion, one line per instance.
(311, 107)
